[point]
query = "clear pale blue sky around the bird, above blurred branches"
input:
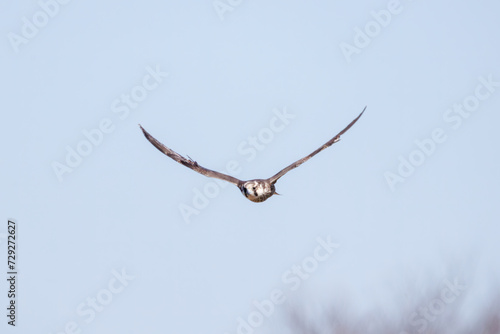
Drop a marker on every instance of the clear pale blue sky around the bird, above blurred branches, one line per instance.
(120, 207)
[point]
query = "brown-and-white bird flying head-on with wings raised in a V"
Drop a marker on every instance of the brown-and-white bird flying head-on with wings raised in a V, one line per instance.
(257, 190)
